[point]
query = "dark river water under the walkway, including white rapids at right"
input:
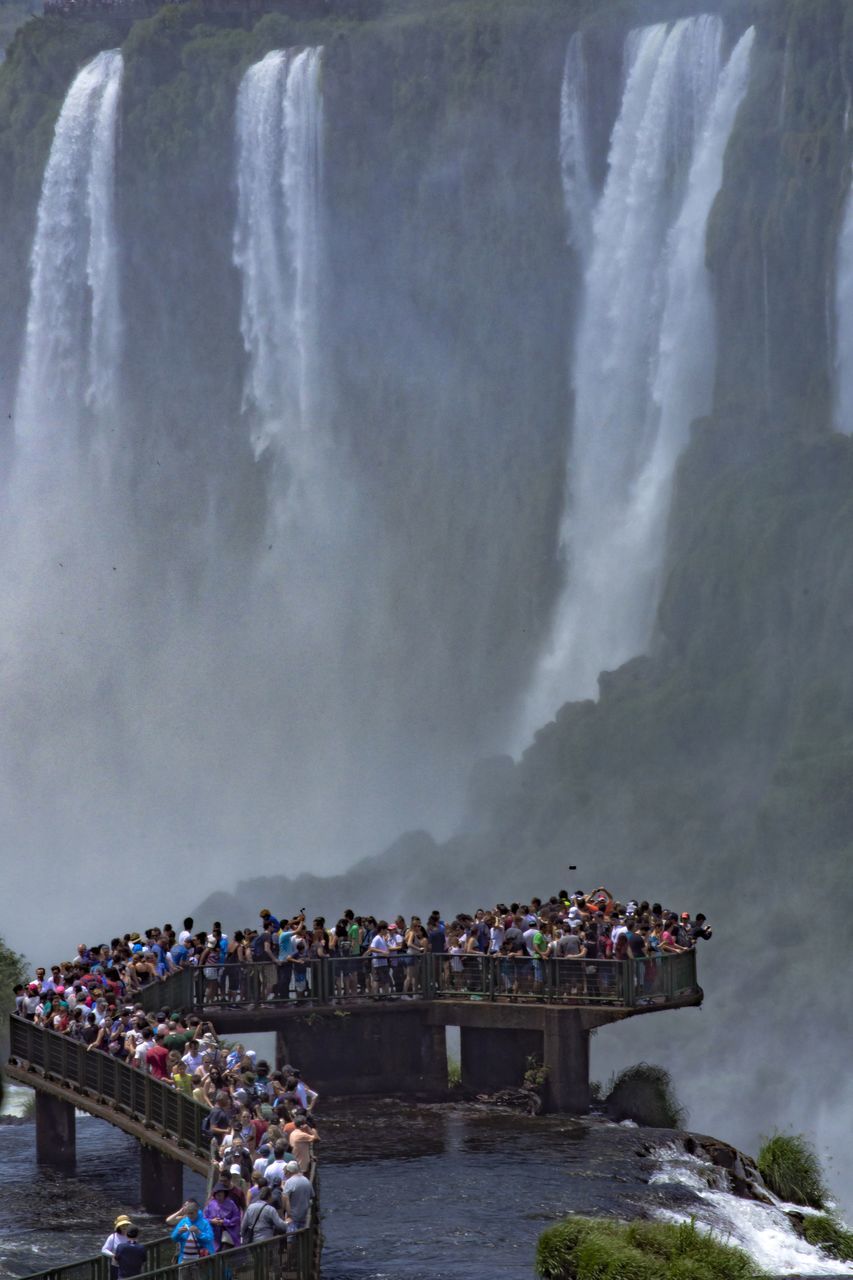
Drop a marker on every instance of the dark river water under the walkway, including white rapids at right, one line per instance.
(412, 1192)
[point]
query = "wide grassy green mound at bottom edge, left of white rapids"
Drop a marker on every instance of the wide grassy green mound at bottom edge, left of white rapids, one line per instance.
(599, 1250)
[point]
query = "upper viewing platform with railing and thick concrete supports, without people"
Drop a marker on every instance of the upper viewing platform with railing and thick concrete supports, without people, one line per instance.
(352, 1037)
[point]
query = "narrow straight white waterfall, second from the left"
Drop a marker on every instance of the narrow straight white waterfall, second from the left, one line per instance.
(279, 246)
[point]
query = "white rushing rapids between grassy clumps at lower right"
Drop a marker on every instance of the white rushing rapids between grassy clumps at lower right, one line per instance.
(764, 1232)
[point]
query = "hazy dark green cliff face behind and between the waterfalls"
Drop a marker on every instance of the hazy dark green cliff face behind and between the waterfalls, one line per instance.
(718, 769)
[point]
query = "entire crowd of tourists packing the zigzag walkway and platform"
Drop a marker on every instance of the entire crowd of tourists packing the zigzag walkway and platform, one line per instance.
(261, 1122)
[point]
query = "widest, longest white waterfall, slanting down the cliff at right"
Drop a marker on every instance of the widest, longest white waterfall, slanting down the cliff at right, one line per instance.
(644, 363)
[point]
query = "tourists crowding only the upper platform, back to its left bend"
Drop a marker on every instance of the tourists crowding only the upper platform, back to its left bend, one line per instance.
(92, 996)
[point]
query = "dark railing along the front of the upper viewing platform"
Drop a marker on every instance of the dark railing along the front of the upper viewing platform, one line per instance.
(353, 980)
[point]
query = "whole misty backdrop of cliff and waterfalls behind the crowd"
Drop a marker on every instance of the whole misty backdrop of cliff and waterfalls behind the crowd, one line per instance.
(376, 390)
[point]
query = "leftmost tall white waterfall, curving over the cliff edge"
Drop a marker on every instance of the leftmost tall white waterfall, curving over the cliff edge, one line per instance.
(72, 344)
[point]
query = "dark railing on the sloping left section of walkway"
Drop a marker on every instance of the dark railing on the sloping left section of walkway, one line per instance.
(108, 1081)
